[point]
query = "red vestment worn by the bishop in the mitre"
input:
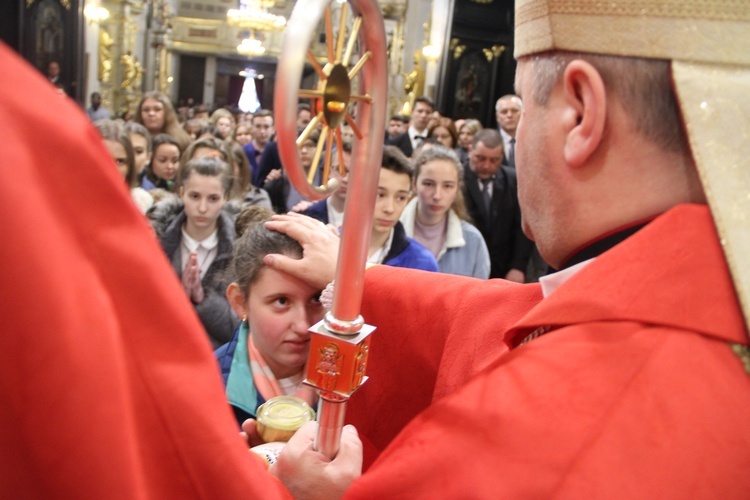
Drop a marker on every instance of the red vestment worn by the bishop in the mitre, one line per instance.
(635, 393)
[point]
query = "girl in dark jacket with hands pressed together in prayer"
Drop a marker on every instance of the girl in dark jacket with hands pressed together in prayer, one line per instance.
(197, 237)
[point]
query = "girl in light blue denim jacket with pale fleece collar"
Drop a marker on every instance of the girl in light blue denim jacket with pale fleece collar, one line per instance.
(437, 217)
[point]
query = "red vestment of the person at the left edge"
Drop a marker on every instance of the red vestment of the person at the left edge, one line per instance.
(108, 386)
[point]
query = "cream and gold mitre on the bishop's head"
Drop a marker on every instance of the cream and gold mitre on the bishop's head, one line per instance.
(708, 42)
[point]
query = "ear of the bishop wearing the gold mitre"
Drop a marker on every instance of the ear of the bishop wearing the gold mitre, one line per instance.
(585, 97)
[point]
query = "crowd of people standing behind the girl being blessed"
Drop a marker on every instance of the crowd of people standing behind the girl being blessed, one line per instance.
(447, 196)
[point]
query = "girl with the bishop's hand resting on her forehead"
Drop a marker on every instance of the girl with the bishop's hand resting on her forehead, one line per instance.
(267, 354)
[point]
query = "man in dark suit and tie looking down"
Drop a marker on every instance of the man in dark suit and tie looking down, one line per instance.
(492, 201)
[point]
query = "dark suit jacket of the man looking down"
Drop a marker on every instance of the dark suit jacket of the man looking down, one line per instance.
(509, 248)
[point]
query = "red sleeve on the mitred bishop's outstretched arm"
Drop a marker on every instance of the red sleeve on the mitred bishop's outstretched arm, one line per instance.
(431, 338)
